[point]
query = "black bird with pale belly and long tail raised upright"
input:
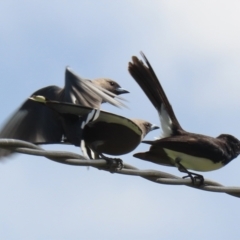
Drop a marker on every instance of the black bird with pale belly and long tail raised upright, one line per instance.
(177, 147)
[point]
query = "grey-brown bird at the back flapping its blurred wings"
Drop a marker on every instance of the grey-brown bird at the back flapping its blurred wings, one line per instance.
(37, 124)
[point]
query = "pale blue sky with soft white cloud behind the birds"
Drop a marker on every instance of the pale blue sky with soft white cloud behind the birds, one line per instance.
(194, 47)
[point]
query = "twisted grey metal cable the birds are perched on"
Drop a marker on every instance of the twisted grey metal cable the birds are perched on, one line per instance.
(156, 176)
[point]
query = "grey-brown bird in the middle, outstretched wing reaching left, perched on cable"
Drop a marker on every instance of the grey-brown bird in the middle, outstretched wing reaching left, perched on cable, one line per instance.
(107, 133)
